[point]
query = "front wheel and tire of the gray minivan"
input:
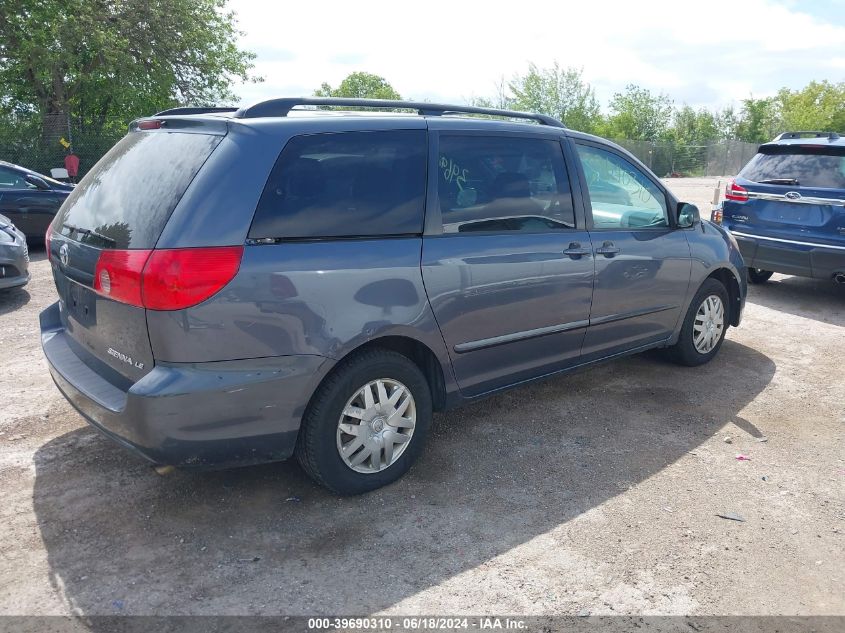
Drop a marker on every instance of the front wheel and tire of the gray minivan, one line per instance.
(704, 327)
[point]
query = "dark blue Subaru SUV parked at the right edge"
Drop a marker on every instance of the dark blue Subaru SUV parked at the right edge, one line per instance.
(786, 207)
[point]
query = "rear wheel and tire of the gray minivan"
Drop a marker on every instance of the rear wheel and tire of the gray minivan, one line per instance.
(351, 442)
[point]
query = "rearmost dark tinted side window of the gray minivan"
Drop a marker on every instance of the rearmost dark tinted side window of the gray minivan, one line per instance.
(345, 184)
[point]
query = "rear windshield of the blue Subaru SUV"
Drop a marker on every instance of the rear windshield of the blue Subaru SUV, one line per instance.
(806, 166)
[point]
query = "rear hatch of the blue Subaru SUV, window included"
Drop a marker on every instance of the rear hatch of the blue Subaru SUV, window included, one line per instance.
(792, 192)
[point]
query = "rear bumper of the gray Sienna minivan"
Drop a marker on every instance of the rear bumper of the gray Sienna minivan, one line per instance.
(205, 415)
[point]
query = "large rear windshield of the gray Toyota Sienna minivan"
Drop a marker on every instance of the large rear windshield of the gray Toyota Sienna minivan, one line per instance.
(125, 201)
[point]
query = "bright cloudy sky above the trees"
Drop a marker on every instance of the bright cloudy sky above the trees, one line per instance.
(710, 53)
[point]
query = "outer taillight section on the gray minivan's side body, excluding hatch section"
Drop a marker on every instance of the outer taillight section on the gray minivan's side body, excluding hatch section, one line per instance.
(175, 279)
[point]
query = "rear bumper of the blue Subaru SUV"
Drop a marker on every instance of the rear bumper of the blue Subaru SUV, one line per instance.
(791, 257)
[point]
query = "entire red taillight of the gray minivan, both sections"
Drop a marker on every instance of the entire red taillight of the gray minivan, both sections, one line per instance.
(165, 279)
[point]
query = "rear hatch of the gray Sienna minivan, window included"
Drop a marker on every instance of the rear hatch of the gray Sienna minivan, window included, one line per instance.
(117, 213)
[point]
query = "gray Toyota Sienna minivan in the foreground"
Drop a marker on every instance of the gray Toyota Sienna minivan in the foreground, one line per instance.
(238, 286)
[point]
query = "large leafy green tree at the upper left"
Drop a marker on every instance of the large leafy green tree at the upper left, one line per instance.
(99, 59)
